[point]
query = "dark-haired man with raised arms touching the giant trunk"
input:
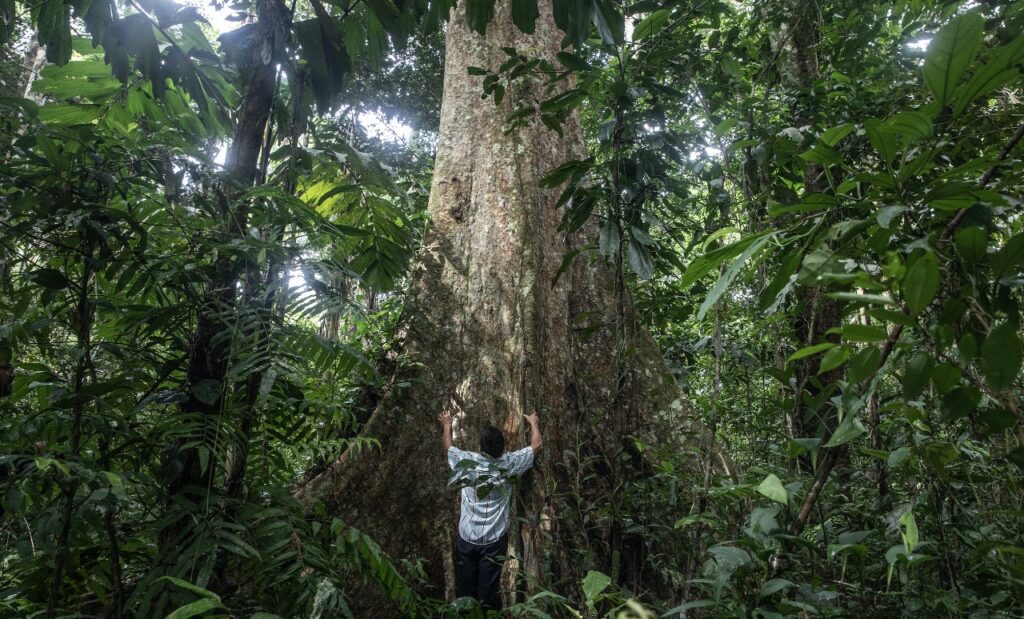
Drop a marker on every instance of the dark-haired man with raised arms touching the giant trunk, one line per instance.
(487, 494)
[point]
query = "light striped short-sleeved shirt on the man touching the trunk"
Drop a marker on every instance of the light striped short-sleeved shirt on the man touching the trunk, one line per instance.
(487, 492)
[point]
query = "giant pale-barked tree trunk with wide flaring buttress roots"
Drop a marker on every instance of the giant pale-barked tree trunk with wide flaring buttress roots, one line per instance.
(486, 324)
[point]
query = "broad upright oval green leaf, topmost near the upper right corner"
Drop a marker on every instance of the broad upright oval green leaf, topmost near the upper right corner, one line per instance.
(951, 53)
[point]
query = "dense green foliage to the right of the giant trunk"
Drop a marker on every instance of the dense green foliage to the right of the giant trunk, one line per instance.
(823, 219)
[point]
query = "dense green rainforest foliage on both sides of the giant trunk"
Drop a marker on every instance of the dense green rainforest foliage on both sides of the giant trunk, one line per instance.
(816, 205)
